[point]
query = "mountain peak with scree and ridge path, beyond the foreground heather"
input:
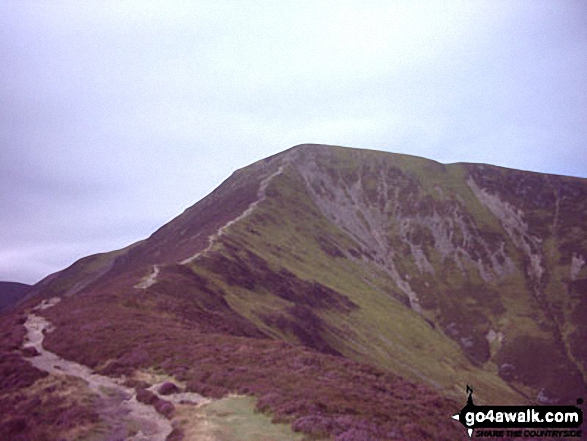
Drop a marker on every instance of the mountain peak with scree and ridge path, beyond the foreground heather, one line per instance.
(437, 272)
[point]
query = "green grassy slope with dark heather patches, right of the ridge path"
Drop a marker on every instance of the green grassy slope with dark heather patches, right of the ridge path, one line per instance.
(286, 241)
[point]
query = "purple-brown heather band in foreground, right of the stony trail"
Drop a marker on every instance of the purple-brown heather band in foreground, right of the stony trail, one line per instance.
(318, 394)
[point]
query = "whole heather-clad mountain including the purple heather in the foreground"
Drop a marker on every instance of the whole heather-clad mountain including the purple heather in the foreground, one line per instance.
(353, 293)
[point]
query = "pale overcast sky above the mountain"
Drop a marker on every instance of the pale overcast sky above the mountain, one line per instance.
(115, 116)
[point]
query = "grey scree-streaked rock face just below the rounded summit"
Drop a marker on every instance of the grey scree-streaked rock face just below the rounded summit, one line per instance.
(385, 210)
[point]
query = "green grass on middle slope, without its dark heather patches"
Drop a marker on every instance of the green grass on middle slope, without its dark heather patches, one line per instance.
(283, 230)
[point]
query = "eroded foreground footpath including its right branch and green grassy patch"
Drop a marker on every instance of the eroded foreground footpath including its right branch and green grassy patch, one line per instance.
(231, 418)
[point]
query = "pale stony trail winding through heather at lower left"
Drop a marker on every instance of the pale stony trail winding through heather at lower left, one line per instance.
(119, 406)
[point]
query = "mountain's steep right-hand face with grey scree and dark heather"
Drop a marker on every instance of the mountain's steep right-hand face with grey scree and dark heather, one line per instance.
(416, 220)
